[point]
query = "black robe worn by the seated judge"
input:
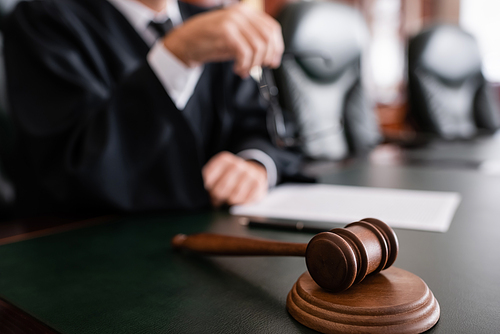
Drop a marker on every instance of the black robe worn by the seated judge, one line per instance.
(96, 129)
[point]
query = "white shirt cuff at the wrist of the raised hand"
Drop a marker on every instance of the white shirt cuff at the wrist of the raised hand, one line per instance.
(178, 80)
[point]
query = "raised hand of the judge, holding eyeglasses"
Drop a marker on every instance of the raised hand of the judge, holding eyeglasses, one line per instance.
(238, 32)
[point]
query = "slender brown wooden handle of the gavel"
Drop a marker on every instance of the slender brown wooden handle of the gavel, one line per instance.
(215, 244)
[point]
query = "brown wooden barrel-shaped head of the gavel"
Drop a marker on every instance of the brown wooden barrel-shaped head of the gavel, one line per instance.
(344, 256)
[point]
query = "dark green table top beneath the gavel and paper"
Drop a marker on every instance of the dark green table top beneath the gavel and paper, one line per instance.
(123, 277)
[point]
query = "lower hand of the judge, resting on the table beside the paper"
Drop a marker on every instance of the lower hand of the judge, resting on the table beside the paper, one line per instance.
(233, 180)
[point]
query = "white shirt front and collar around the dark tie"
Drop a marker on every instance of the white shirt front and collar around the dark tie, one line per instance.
(139, 16)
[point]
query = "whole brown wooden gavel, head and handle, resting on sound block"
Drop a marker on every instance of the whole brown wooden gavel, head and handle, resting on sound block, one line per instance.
(335, 259)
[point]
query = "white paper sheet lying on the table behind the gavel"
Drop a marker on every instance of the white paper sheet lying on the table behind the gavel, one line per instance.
(410, 209)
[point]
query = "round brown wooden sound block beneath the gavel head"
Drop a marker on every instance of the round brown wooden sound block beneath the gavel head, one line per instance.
(392, 301)
